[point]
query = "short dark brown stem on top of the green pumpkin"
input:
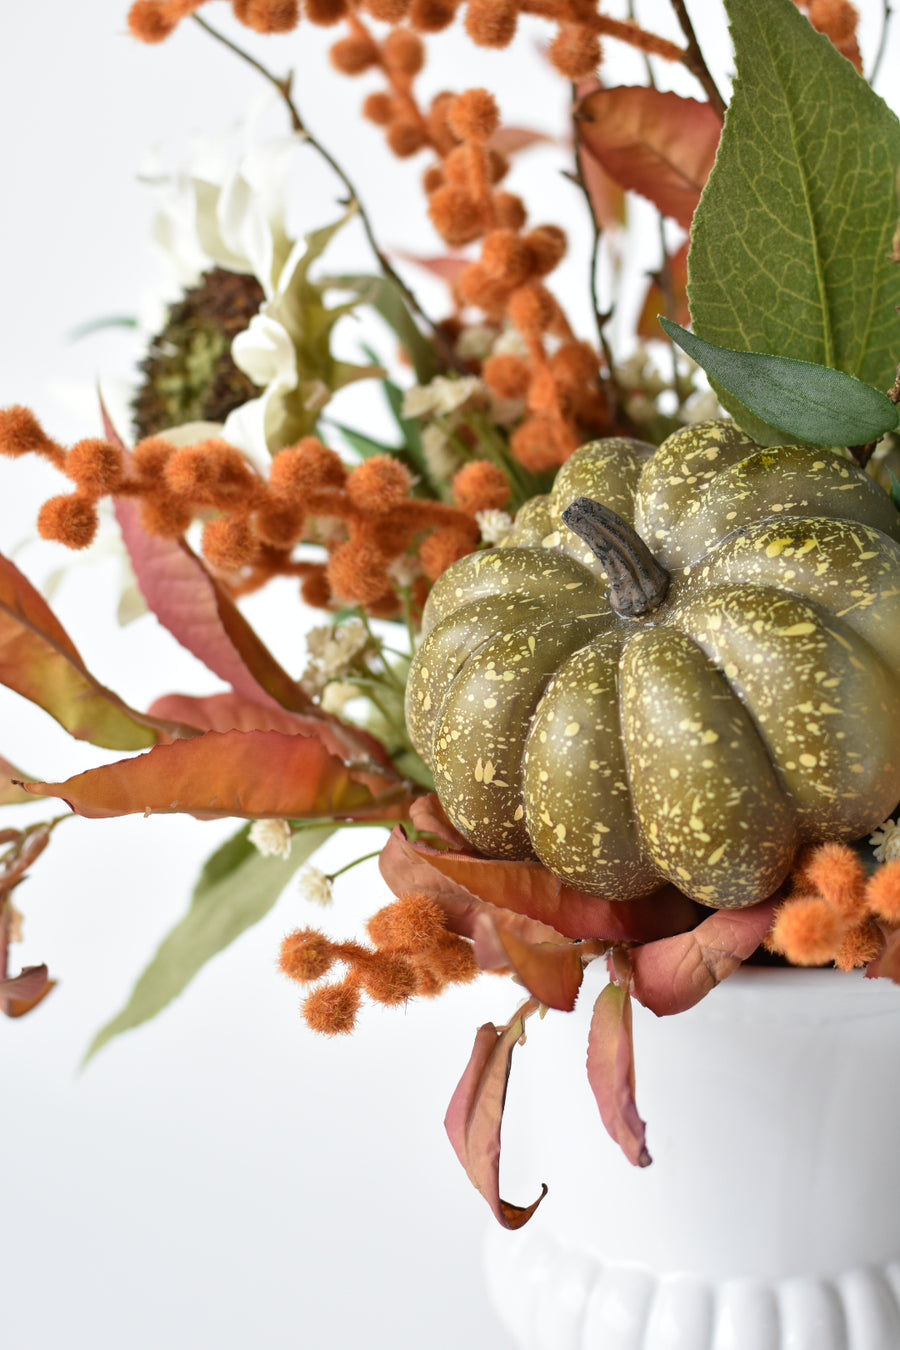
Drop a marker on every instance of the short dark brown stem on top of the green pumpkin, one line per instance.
(638, 583)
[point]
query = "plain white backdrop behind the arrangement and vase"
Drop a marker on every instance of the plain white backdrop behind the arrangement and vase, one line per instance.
(221, 1177)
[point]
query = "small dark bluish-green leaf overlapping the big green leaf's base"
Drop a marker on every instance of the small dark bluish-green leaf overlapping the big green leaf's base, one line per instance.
(812, 403)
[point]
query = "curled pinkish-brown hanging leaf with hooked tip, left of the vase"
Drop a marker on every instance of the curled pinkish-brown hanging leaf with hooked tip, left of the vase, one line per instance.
(476, 1114)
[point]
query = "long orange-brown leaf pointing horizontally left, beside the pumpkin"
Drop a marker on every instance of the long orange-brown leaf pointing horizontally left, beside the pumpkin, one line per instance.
(245, 774)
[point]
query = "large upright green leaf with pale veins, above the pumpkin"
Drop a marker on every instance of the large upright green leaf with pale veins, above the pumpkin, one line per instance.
(791, 238)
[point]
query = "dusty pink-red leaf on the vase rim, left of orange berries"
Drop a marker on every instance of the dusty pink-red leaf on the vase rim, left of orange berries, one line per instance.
(675, 974)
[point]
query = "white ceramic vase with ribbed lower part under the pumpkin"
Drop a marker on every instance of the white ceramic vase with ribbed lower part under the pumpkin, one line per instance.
(770, 1218)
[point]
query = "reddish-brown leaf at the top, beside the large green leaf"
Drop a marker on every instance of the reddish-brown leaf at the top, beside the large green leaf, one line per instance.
(655, 144)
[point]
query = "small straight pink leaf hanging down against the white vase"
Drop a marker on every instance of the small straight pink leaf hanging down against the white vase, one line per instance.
(611, 1071)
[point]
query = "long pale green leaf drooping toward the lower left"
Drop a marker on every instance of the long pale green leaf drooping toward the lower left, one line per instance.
(235, 890)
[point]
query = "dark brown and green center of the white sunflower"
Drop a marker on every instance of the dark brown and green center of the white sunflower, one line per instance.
(188, 373)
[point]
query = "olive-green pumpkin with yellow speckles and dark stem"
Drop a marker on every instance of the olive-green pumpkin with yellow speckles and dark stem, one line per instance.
(690, 700)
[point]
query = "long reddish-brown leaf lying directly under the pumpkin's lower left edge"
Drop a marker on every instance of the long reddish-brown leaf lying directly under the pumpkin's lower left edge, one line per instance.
(532, 890)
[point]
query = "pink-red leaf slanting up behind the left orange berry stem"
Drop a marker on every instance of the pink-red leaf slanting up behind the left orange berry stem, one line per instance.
(202, 616)
